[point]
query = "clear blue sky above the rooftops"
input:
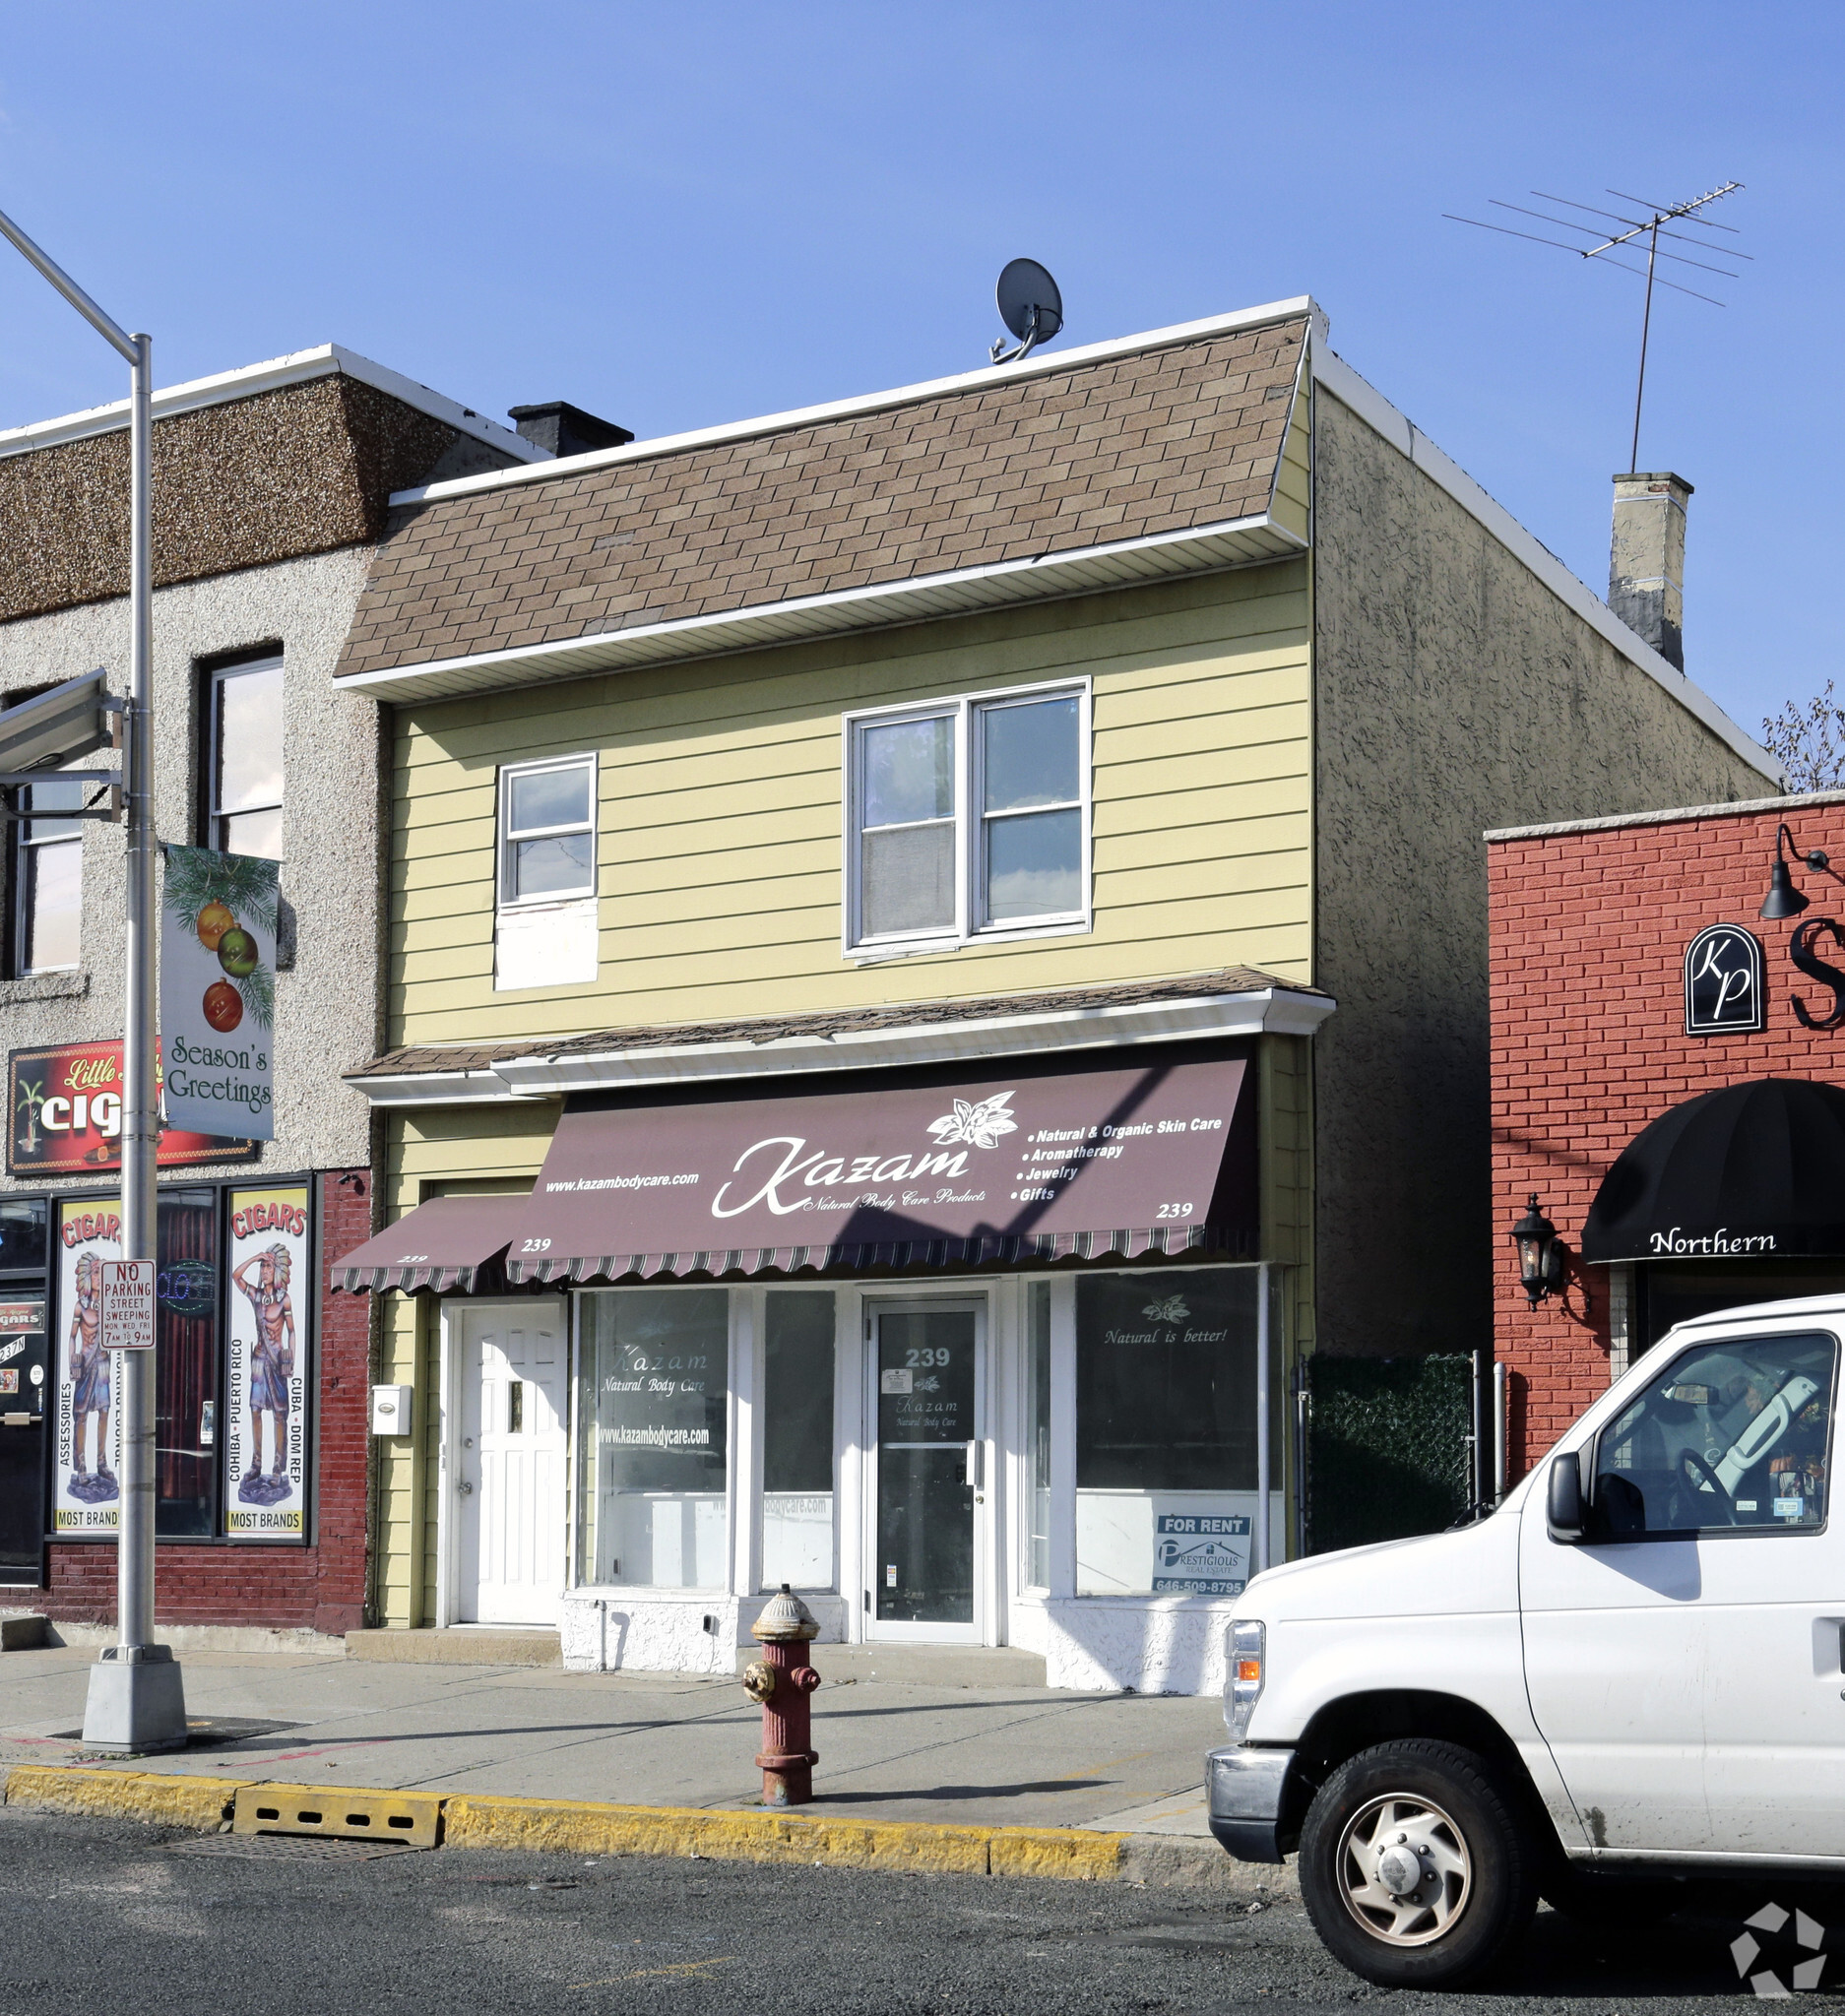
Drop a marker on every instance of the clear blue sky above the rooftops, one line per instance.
(687, 215)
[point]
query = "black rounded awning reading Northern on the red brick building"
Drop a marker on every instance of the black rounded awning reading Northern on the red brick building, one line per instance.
(1749, 1172)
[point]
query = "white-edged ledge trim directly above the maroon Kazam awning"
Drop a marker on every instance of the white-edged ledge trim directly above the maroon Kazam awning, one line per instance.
(1271, 1011)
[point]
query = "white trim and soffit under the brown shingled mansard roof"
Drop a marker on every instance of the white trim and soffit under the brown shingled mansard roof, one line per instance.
(1124, 563)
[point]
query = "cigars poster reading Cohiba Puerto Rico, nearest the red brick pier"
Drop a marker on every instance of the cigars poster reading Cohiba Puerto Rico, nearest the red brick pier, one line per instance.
(267, 1364)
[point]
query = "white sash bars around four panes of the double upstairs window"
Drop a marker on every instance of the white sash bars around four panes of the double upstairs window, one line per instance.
(971, 822)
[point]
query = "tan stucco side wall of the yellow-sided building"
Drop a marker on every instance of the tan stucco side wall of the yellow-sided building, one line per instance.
(1453, 692)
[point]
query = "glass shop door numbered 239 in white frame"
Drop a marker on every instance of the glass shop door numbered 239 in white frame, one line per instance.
(927, 1374)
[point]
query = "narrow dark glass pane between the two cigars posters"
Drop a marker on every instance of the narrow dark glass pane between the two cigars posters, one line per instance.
(187, 1366)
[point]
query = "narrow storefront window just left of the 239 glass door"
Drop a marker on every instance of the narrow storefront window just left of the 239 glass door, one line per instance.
(797, 1442)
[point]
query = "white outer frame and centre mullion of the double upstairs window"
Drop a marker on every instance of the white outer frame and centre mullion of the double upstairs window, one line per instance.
(971, 924)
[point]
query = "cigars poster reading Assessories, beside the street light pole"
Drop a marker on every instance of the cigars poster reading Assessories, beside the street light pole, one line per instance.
(88, 1483)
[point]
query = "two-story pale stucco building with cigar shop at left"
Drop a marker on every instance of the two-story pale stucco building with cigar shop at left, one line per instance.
(269, 495)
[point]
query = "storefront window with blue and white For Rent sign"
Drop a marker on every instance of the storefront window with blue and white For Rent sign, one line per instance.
(1166, 1430)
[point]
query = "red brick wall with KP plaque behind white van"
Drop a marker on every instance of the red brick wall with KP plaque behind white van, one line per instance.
(1588, 938)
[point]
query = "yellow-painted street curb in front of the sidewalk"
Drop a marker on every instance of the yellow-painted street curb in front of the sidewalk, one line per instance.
(564, 1825)
